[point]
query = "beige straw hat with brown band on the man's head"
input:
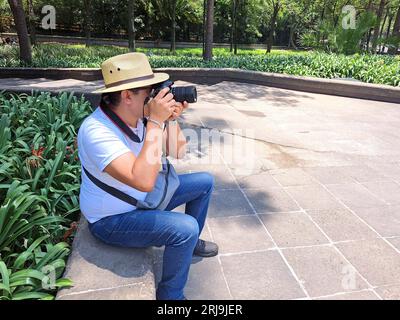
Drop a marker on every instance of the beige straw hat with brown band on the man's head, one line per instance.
(128, 71)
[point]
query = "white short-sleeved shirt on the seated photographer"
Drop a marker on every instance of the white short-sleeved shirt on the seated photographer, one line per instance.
(100, 142)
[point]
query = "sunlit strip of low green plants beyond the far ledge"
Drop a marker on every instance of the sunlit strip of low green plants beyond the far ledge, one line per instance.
(367, 68)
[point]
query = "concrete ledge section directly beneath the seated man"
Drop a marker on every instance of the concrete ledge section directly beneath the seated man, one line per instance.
(104, 272)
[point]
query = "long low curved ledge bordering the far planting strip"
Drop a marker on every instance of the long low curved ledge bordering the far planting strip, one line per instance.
(345, 88)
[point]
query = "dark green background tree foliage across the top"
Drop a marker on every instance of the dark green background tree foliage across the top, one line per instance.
(306, 23)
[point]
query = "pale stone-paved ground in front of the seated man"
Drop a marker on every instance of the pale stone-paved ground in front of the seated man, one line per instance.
(314, 211)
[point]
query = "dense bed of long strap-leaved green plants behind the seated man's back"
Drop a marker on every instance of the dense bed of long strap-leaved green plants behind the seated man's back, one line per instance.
(39, 189)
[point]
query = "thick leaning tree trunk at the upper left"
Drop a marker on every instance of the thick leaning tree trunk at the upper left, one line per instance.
(22, 30)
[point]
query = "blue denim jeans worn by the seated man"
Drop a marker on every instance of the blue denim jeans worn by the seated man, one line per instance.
(178, 232)
